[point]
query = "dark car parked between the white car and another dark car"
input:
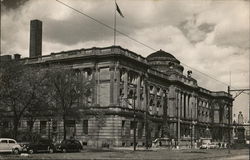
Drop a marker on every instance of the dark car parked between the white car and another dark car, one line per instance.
(42, 145)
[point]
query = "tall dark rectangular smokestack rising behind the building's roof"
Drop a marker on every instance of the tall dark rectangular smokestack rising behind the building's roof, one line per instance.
(35, 38)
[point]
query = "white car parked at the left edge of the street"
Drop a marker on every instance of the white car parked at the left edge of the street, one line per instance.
(9, 145)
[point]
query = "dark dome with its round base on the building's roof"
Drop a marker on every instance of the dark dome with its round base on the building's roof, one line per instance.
(164, 62)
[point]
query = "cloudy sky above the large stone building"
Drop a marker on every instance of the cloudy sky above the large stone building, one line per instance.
(210, 36)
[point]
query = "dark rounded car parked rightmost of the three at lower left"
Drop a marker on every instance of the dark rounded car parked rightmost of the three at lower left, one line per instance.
(68, 145)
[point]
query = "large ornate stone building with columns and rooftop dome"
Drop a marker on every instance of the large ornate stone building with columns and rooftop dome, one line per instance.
(162, 95)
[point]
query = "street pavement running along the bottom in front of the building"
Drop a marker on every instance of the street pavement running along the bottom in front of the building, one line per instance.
(163, 153)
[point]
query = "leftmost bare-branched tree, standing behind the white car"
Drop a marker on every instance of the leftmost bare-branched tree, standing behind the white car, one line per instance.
(21, 88)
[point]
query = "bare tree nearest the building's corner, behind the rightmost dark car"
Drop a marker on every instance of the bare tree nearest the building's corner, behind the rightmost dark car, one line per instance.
(67, 88)
